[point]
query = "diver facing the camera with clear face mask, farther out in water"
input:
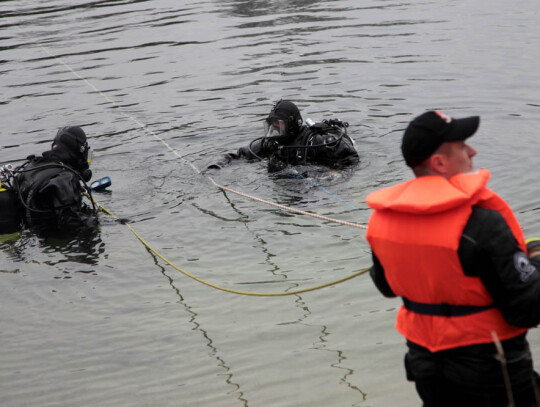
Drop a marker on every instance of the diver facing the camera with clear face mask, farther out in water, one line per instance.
(287, 141)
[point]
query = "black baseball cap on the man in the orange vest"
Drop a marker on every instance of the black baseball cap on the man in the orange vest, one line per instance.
(427, 132)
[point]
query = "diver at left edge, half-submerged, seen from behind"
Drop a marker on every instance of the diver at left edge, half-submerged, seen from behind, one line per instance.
(49, 189)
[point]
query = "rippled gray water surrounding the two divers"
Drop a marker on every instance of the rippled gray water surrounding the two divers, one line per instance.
(163, 88)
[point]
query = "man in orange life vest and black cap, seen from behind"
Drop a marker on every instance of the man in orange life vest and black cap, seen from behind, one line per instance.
(456, 254)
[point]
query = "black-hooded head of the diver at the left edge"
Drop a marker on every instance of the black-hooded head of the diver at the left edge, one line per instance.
(71, 146)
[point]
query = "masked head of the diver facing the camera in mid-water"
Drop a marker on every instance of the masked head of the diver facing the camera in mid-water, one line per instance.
(283, 121)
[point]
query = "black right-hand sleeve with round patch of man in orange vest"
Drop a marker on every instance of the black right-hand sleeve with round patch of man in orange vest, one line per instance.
(489, 250)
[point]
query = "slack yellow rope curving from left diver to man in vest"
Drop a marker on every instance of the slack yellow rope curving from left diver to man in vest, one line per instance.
(229, 290)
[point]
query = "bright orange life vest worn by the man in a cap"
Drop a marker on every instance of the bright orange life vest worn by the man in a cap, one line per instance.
(415, 231)
